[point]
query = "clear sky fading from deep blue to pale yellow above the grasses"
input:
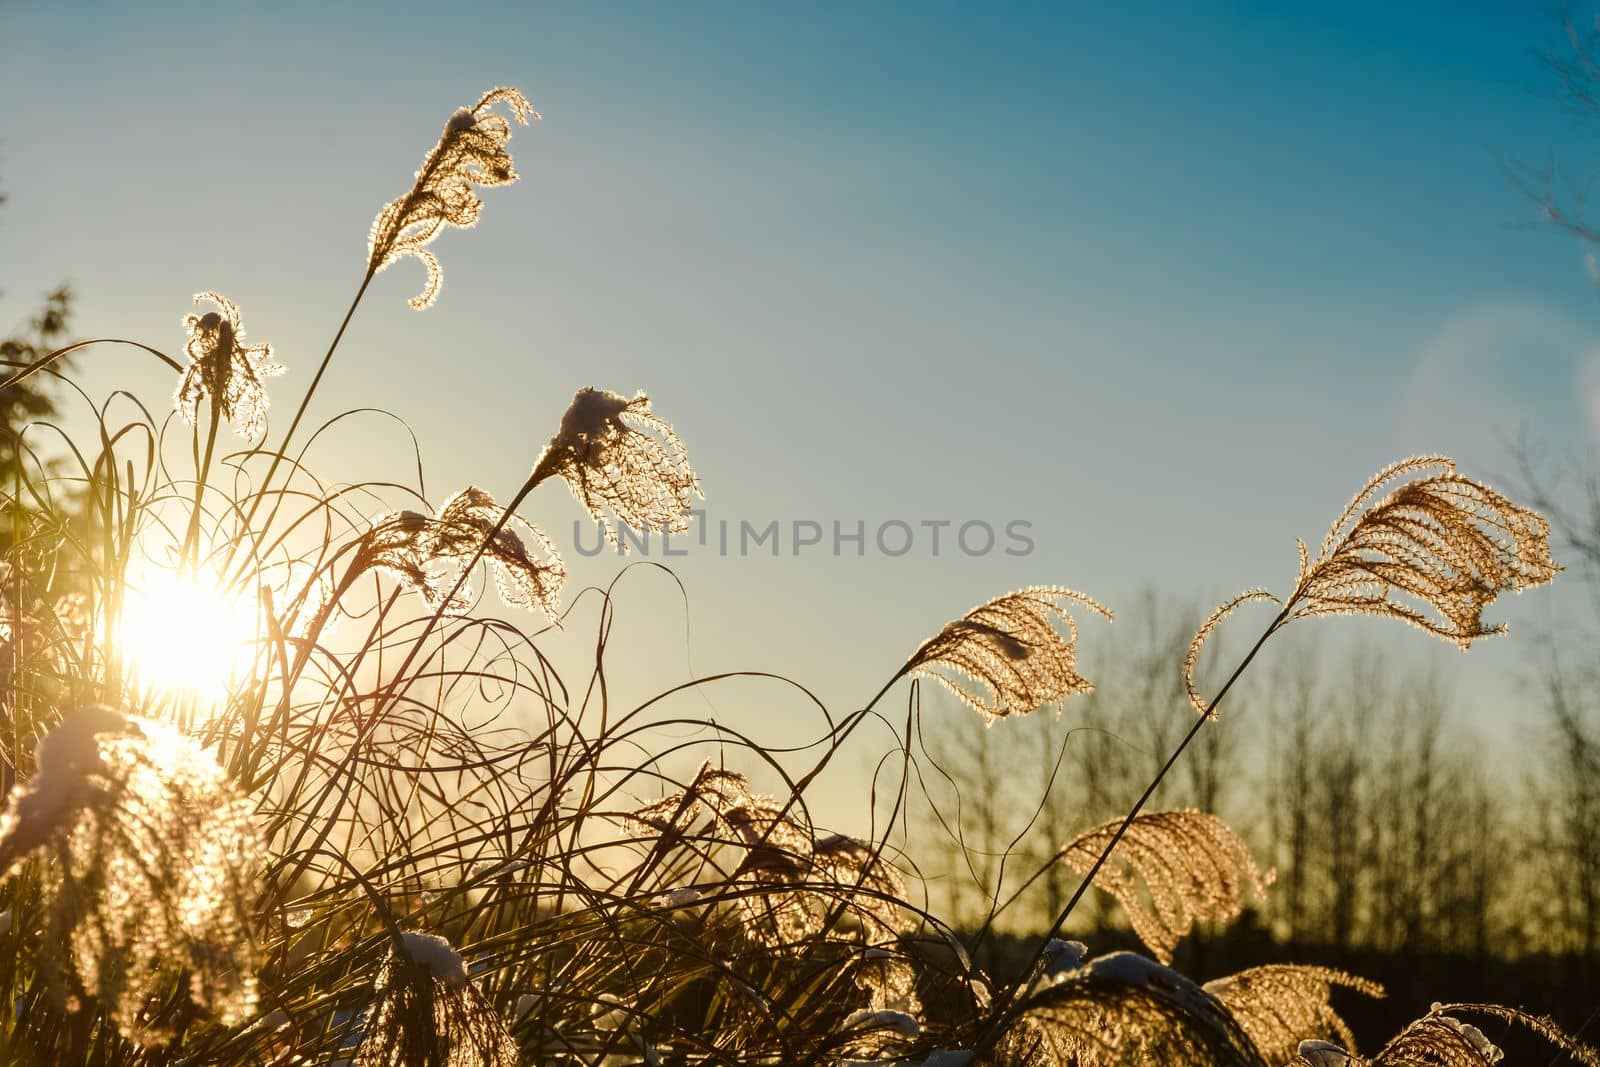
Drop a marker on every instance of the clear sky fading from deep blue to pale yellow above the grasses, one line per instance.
(1166, 286)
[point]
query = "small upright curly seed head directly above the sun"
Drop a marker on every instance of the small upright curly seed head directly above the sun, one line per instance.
(225, 369)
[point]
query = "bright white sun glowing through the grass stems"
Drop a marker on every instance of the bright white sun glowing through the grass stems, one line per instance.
(185, 633)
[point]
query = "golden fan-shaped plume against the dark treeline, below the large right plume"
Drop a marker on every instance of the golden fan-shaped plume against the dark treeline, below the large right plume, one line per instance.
(1170, 871)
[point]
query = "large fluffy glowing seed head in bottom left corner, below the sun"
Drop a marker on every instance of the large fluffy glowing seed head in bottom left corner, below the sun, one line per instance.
(154, 863)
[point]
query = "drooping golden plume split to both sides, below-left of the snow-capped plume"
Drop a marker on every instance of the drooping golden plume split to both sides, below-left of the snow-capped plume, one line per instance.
(428, 554)
